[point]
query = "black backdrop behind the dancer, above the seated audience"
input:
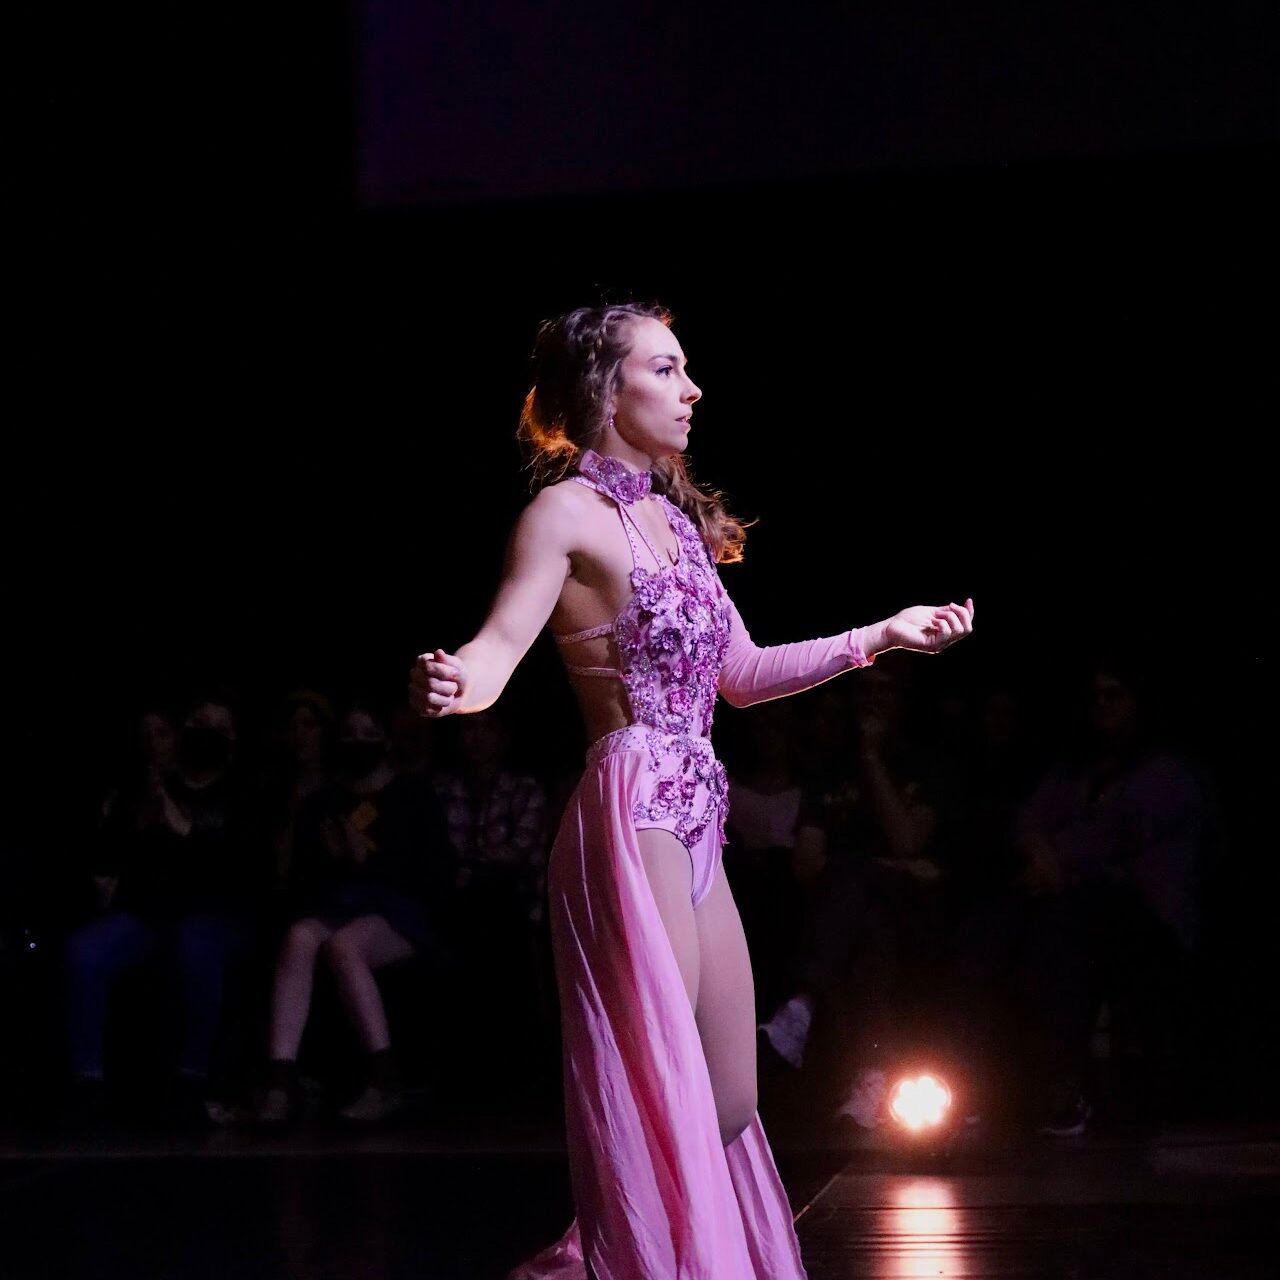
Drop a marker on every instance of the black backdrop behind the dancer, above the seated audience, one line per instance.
(981, 300)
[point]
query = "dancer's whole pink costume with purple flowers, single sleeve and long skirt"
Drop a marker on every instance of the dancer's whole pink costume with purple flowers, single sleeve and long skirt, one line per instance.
(659, 1196)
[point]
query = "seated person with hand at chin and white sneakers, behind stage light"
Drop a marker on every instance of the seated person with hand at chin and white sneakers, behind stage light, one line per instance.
(867, 844)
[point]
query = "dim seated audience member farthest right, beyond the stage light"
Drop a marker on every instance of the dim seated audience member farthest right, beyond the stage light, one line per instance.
(1110, 840)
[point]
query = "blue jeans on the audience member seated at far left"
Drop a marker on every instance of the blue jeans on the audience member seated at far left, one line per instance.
(194, 950)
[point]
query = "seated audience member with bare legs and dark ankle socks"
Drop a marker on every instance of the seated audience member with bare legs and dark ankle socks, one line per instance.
(365, 892)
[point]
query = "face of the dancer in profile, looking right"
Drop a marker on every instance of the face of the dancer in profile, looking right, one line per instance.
(653, 405)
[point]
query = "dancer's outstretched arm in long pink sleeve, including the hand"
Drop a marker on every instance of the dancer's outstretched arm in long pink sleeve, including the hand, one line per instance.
(753, 675)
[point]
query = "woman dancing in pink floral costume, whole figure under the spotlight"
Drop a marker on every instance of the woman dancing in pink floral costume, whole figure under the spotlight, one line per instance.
(671, 1172)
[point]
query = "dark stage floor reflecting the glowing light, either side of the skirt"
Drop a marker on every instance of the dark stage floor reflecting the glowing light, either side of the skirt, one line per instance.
(464, 1199)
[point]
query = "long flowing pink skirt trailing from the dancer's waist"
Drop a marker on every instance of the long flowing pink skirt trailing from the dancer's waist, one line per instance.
(659, 1196)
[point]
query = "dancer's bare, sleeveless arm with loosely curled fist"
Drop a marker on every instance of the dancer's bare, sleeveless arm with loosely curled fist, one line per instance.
(537, 565)
